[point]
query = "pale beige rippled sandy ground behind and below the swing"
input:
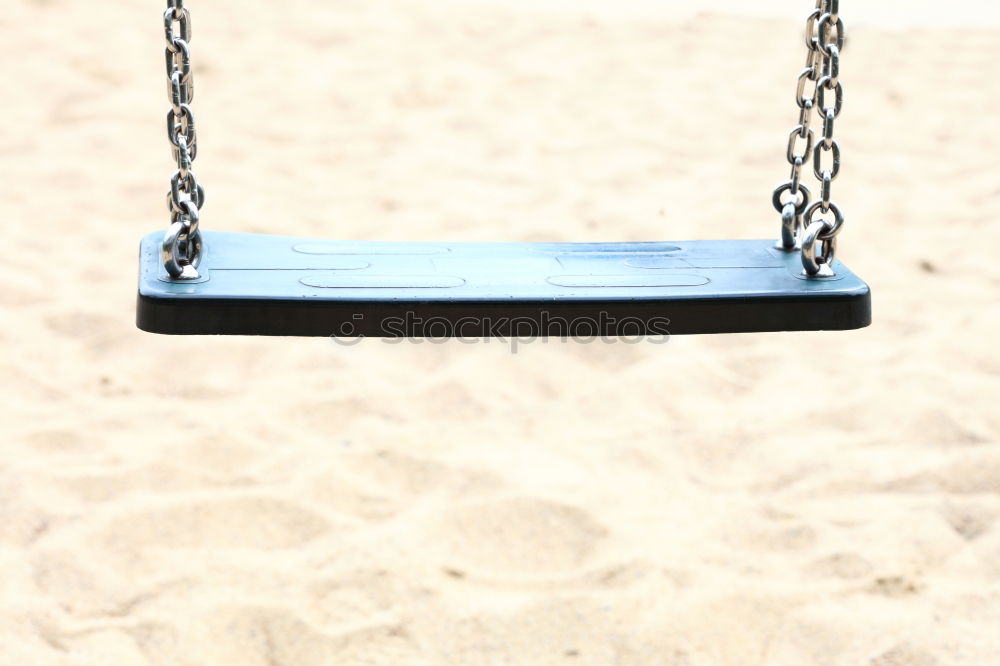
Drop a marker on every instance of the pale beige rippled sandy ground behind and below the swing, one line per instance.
(827, 499)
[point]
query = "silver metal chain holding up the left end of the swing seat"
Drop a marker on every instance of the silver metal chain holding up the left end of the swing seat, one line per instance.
(182, 245)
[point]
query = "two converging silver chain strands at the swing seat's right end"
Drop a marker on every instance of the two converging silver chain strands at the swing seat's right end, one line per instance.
(825, 42)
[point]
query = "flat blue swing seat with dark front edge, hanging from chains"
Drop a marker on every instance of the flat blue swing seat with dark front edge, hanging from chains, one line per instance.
(255, 284)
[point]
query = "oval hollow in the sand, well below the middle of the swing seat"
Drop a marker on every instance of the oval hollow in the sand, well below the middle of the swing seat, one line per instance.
(519, 536)
